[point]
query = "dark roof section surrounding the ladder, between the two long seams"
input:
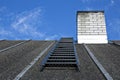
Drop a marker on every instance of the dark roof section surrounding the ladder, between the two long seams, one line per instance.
(88, 70)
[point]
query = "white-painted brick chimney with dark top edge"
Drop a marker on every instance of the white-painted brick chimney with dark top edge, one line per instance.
(91, 27)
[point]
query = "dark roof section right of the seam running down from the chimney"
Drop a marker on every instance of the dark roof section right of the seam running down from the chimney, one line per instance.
(109, 57)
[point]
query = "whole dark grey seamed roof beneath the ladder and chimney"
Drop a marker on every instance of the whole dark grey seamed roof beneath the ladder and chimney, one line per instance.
(15, 59)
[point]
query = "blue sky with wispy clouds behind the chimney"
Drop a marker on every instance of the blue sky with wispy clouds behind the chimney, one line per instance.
(52, 19)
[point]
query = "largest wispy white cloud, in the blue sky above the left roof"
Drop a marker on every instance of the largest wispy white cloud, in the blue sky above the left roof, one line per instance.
(27, 23)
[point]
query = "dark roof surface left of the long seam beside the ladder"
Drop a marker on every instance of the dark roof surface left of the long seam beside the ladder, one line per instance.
(14, 60)
